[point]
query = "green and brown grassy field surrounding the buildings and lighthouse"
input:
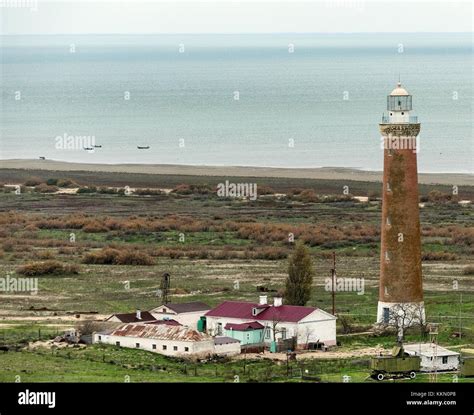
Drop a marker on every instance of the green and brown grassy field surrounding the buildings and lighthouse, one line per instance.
(212, 275)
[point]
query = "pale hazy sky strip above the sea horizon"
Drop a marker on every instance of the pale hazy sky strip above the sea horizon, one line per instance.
(232, 16)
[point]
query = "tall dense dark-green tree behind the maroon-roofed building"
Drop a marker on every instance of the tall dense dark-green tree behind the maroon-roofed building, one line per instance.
(300, 277)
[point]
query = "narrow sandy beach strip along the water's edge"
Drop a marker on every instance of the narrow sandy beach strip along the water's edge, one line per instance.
(335, 173)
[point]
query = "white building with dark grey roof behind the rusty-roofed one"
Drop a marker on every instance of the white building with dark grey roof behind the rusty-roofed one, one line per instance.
(187, 314)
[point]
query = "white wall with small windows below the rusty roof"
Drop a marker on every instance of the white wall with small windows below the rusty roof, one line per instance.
(202, 347)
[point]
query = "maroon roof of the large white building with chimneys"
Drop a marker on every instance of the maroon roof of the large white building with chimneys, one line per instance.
(243, 310)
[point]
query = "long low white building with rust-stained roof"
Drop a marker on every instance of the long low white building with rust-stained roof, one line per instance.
(160, 338)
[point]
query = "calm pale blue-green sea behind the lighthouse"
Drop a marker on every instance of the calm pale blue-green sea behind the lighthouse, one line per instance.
(273, 100)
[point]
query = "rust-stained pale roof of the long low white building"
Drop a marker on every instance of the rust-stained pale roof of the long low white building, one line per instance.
(160, 332)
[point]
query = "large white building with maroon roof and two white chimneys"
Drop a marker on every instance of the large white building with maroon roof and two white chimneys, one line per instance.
(309, 325)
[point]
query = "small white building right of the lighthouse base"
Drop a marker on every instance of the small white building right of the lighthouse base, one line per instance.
(445, 359)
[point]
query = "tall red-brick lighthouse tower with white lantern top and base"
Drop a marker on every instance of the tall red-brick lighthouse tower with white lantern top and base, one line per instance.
(401, 284)
